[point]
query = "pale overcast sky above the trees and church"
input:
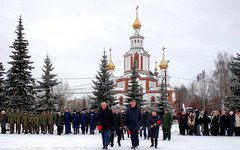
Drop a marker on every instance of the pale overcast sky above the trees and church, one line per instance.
(75, 32)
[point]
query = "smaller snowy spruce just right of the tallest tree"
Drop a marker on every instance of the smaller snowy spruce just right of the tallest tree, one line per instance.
(48, 100)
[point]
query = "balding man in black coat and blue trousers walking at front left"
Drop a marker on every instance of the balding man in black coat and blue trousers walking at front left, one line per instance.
(105, 120)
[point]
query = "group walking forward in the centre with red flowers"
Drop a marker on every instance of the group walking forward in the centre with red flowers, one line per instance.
(132, 121)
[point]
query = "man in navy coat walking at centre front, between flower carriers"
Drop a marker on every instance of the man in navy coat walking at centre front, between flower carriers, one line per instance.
(133, 121)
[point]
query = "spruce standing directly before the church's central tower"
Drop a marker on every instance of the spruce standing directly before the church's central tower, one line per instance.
(134, 89)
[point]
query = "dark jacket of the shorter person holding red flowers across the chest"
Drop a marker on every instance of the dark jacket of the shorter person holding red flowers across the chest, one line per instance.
(154, 131)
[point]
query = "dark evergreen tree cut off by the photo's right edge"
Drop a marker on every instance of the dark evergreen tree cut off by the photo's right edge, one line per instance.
(235, 87)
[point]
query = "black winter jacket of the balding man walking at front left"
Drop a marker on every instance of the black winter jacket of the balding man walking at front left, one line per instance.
(105, 118)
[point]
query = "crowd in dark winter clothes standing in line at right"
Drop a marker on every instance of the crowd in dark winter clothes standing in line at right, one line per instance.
(220, 123)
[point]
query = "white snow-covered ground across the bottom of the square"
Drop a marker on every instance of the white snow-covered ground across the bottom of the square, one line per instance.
(94, 142)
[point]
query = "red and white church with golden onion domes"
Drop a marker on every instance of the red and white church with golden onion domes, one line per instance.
(150, 82)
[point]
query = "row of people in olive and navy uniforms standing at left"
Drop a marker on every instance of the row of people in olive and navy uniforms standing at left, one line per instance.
(44, 122)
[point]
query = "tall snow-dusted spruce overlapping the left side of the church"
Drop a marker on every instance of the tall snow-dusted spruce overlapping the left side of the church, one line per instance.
(103, 85)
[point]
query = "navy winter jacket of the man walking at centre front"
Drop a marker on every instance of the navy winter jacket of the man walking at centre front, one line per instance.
(133, 118)
